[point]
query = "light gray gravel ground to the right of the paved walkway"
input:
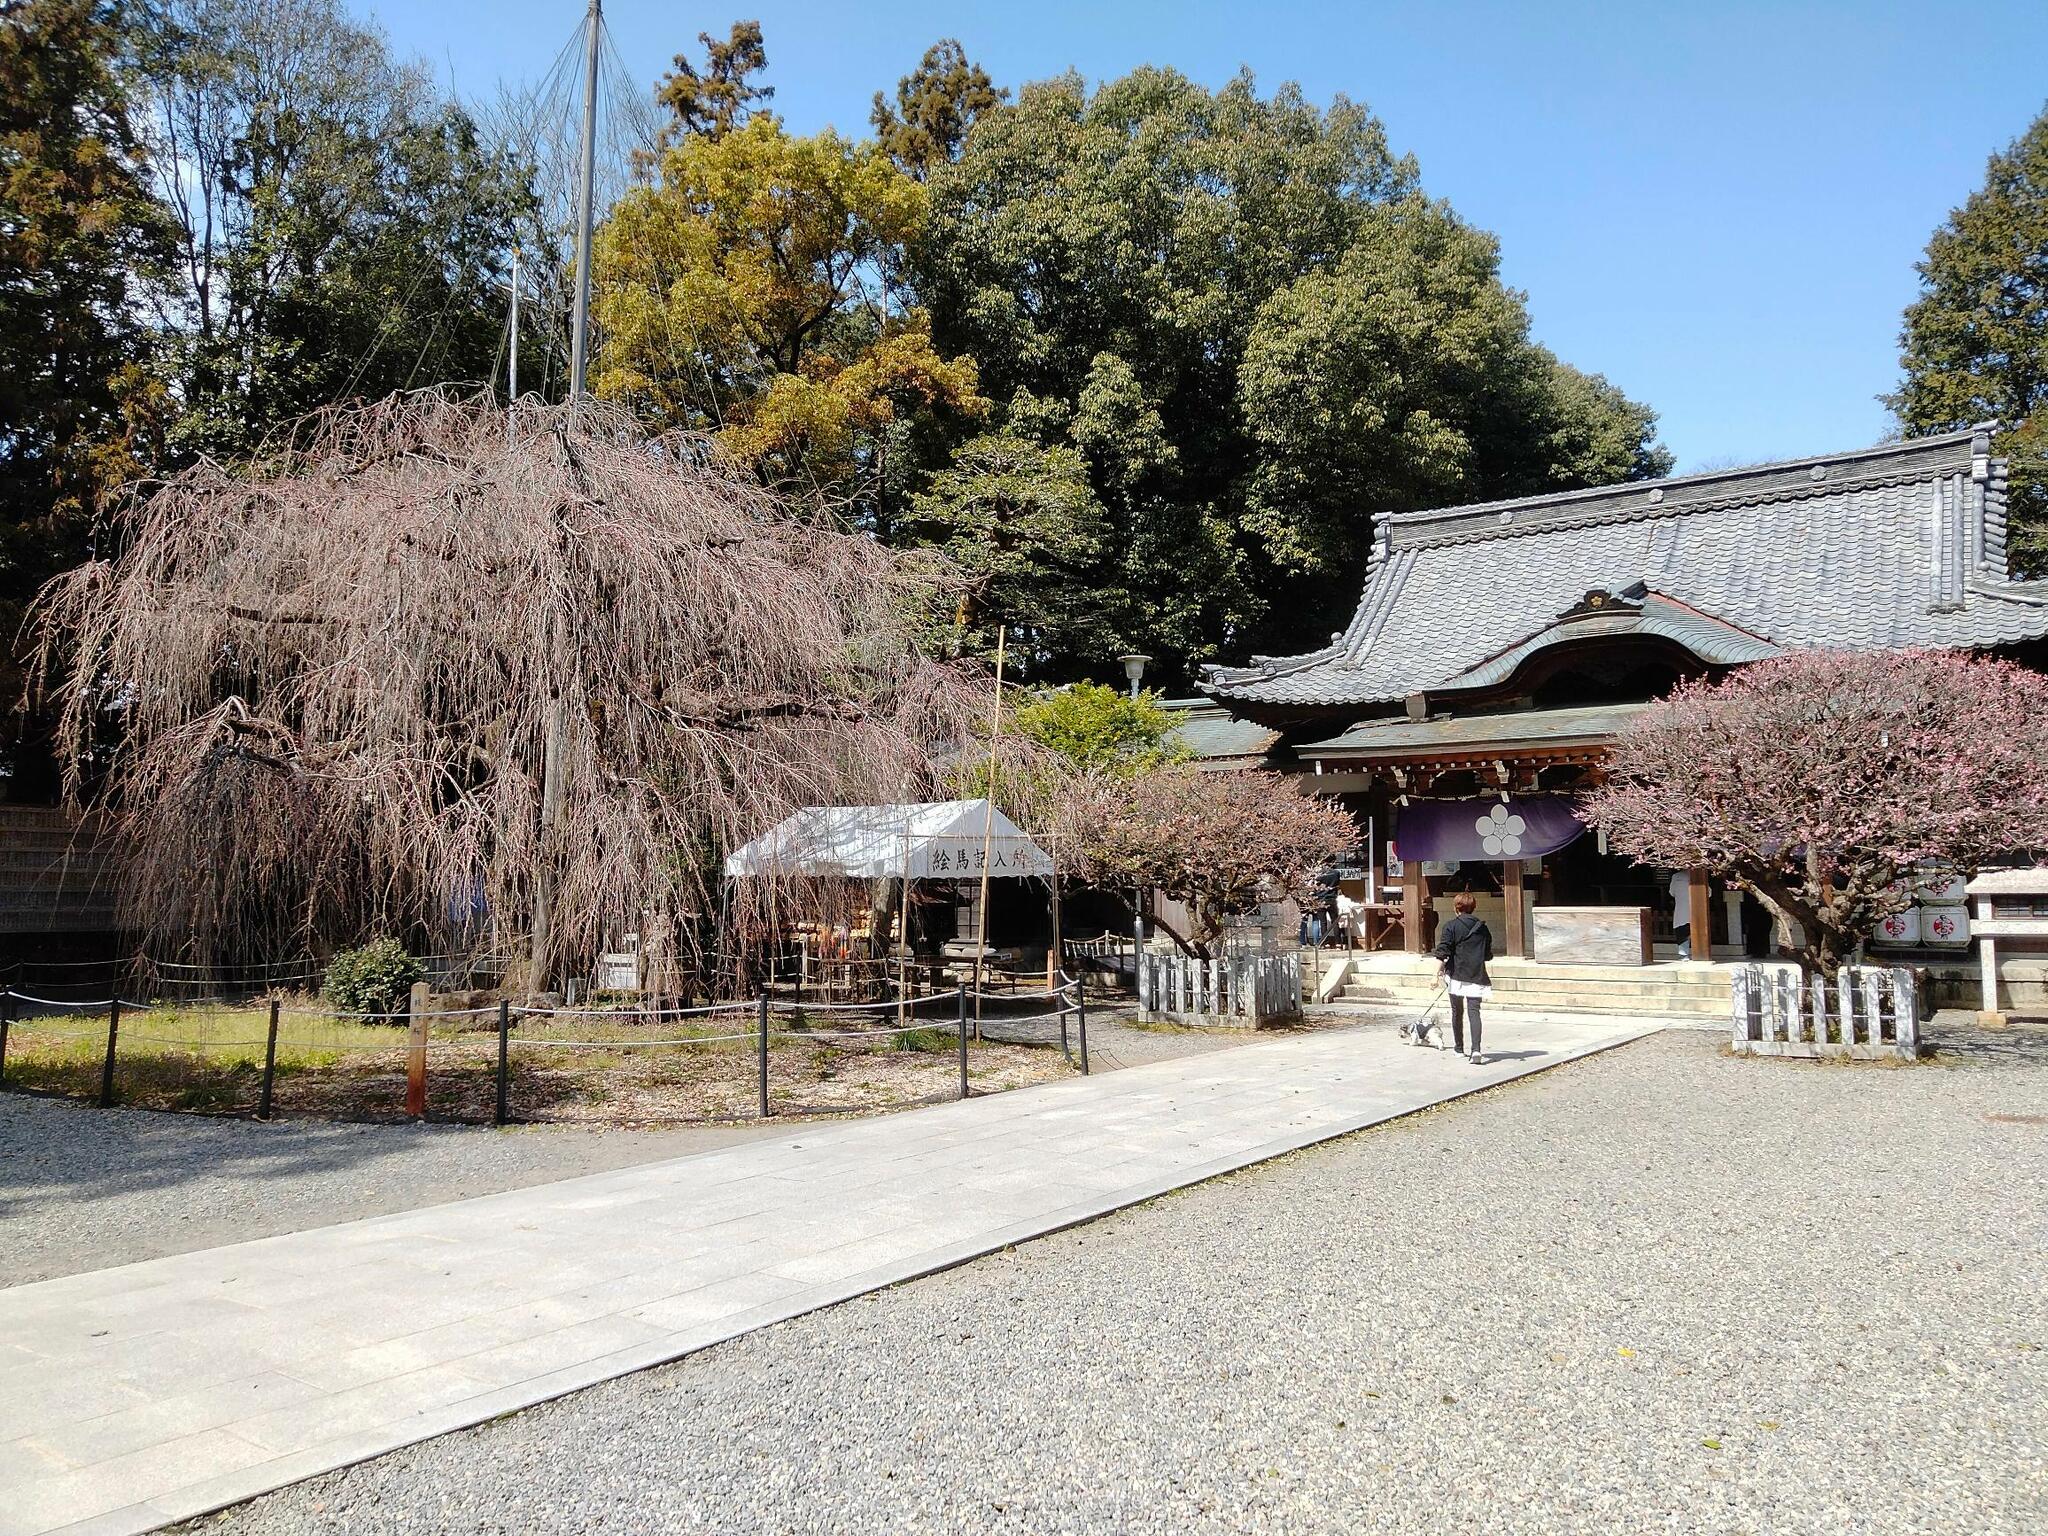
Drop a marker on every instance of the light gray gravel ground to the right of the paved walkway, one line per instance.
(1660, 1289)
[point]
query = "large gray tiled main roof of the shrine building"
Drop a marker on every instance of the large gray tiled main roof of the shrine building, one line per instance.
(1879, 550)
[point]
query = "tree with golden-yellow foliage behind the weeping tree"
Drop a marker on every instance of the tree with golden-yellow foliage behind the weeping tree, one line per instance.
(751, 294)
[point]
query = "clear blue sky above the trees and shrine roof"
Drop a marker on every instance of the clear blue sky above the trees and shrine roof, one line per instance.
(1717, 206)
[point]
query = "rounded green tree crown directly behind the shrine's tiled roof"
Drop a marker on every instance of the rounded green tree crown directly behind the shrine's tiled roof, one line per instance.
(1404, 376)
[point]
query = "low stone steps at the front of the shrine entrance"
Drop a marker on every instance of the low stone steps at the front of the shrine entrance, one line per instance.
(1687, 992)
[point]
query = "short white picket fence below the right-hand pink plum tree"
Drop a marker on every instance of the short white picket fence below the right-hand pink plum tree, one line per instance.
(1871, 1011)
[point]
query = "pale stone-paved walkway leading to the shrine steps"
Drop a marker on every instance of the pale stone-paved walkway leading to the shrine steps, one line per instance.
(155, 1392)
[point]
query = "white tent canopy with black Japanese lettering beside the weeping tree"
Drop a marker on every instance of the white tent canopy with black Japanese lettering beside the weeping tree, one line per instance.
(935, 841)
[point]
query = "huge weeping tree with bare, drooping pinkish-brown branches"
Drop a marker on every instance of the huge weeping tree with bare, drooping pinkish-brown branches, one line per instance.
(316, 693)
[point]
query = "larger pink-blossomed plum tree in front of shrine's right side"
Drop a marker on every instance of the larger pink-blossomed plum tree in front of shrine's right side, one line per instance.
(1824, 779)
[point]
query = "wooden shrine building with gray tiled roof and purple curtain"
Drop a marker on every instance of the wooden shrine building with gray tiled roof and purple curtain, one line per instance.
(1500, 648)
